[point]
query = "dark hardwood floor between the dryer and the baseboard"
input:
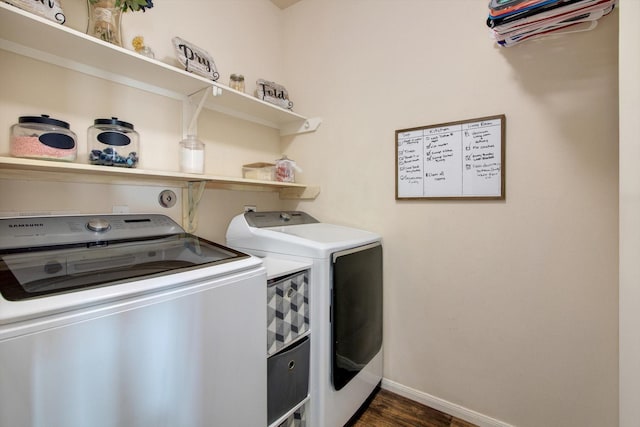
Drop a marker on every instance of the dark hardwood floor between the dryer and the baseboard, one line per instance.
(391, 410)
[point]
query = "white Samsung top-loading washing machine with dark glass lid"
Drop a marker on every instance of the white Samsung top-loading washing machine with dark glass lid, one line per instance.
(126, 320)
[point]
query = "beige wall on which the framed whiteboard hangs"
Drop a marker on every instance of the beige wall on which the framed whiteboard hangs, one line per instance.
(506, 308)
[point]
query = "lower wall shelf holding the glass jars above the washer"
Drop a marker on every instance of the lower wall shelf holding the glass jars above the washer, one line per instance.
(15, 168)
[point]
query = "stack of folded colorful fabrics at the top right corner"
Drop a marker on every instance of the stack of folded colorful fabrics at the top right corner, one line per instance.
(515, 21)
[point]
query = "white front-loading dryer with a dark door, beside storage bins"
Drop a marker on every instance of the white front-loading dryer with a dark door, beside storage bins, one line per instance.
(345, 303)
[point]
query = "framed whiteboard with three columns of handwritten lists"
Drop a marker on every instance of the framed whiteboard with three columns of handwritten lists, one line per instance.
(457, 160)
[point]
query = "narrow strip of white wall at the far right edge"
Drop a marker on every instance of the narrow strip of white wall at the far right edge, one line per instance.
(629, 213)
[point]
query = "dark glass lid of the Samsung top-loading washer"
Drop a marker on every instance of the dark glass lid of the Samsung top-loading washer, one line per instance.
(36, 272)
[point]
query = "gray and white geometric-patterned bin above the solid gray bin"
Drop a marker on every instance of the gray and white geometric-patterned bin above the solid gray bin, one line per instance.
(287, 310)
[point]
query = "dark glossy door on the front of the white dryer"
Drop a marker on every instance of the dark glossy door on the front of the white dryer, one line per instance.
(356, 311)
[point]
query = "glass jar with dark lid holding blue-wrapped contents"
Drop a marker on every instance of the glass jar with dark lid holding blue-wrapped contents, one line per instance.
(113, 142)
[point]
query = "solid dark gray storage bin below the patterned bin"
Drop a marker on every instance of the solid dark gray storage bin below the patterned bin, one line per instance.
(287, 379)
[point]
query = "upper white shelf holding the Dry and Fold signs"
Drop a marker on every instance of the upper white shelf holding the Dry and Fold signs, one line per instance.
(35, 37)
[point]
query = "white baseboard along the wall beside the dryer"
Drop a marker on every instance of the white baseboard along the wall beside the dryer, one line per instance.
(442, 405)
